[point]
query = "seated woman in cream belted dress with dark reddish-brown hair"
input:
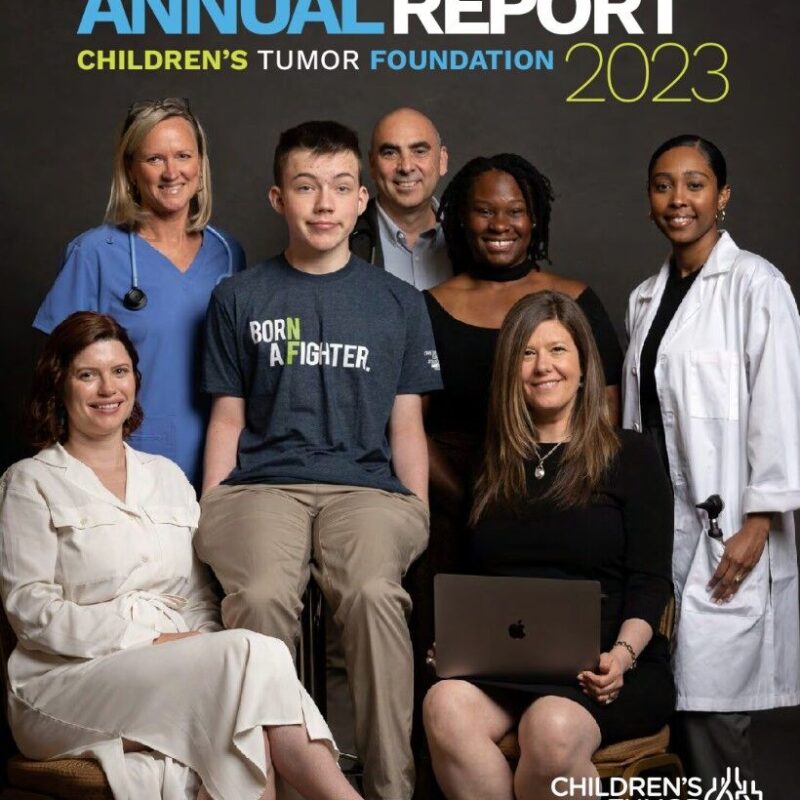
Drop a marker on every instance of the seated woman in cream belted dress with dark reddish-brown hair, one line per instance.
(119, 644)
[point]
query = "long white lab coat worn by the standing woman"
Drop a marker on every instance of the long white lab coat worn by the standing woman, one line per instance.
(728, 381)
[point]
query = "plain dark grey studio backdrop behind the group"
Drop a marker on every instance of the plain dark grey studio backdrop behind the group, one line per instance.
(58, 125)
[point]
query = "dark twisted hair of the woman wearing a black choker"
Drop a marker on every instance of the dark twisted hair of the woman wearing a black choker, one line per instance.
(534, 186)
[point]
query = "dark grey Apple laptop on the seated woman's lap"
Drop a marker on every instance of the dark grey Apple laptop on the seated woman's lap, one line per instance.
(527, 630)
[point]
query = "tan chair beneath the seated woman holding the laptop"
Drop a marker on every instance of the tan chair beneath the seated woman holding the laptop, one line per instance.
(631, 757)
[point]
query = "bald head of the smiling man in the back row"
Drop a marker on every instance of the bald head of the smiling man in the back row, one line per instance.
(406, 159)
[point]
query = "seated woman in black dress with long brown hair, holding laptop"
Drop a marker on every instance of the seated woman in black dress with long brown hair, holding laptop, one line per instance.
(561, 495)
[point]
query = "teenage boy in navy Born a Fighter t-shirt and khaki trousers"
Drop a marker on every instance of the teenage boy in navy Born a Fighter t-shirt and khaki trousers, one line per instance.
(316, 448)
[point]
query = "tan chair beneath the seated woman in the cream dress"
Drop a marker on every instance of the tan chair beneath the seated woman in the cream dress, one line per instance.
(62, 779)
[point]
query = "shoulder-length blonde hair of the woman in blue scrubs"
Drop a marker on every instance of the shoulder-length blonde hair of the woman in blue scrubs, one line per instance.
(123, 204)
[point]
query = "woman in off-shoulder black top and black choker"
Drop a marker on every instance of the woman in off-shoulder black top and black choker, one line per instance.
(495, 216)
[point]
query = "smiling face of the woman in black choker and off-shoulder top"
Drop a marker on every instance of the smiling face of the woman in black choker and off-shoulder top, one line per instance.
(498, 224)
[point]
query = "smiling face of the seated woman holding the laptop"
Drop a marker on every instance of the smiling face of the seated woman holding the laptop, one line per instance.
(551, 375)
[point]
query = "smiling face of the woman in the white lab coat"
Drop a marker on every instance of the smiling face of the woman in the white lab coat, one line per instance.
(685, 199)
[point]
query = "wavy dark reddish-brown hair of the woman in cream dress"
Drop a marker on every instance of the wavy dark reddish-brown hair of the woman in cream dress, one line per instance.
(45, 418)
